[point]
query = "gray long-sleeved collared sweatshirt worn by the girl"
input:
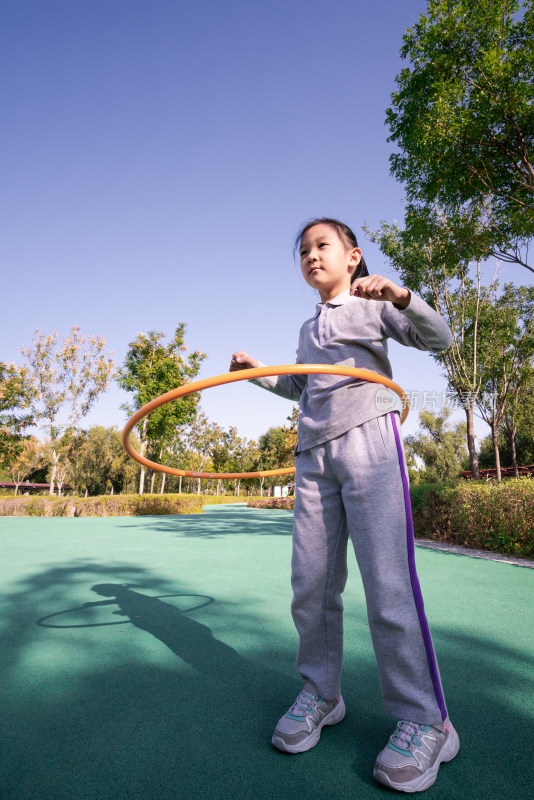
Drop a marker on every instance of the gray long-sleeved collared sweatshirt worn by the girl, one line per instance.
(352, 332)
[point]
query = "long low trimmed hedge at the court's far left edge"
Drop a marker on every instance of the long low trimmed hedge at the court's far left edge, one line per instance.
(103, 506)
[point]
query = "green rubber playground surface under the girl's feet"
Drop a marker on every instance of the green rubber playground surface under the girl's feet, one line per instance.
(150, 657)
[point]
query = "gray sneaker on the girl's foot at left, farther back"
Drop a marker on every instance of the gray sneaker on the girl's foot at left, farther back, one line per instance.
(300, 728)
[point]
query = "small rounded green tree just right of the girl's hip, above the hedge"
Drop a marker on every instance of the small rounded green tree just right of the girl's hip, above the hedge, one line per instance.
(442, 449)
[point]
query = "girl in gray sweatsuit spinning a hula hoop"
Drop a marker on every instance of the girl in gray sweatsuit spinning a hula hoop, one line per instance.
(351, 481)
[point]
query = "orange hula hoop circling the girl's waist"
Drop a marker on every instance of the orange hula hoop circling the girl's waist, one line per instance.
(245, 375)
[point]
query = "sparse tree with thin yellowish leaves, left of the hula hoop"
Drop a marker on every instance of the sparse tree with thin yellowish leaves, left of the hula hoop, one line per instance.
(66, 379)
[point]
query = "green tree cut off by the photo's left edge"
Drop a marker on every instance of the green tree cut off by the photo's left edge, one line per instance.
(16, 395)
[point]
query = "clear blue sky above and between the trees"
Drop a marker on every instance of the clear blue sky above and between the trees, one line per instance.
(158, 157)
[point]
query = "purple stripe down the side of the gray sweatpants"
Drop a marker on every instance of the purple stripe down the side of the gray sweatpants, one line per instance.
(416, 588)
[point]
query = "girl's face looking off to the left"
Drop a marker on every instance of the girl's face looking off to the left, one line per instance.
(326, 262)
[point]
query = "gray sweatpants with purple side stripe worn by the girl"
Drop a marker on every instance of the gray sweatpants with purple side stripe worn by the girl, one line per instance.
(356, 485)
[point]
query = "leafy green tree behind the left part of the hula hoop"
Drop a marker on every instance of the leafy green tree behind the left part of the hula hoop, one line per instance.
(150, 369)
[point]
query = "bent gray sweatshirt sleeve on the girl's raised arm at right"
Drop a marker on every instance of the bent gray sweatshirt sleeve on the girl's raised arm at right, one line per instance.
(417, 325)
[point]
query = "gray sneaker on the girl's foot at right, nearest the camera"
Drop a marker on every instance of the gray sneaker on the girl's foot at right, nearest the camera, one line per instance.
(411, 759)
